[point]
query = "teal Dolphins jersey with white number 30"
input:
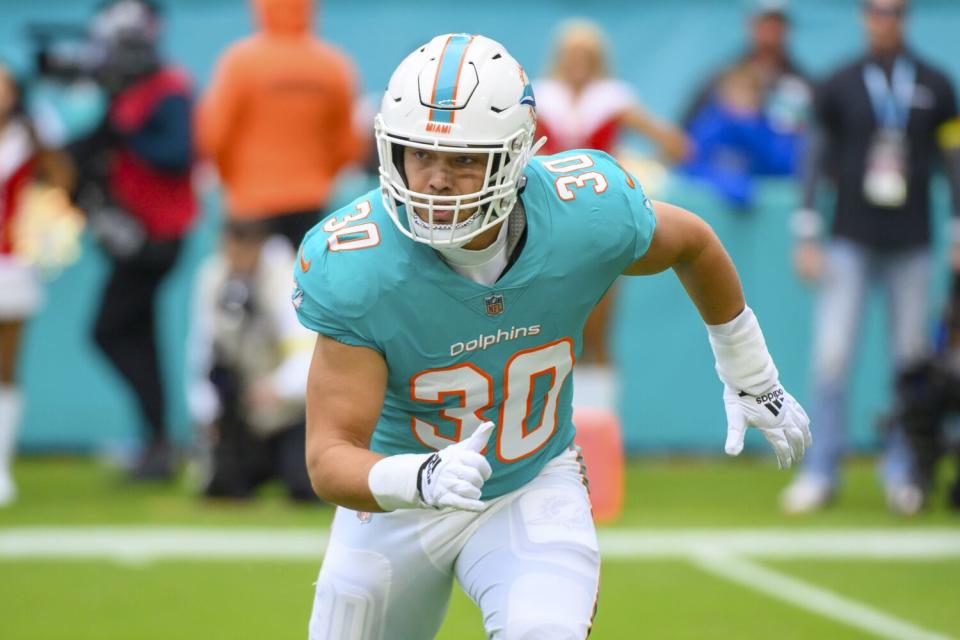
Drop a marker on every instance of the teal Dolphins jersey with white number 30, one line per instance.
(458, 352)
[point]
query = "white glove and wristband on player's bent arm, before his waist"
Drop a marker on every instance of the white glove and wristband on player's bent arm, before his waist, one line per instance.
(451, 477)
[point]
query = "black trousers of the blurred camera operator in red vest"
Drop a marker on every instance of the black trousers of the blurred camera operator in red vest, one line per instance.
(125, 329)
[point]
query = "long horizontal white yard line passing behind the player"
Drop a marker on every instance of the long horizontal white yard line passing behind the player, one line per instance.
(244, 542)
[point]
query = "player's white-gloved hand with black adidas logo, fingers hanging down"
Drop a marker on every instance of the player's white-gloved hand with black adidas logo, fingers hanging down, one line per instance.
(776, 414)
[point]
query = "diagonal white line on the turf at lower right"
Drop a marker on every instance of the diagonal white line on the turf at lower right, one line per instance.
(812, 598)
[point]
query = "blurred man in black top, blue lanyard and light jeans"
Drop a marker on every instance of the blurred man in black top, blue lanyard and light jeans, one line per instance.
(878, 121)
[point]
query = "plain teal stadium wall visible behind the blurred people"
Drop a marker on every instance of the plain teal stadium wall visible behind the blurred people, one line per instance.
(672, 399)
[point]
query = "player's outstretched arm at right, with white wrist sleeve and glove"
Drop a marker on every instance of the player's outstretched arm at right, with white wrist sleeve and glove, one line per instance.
(753, 394)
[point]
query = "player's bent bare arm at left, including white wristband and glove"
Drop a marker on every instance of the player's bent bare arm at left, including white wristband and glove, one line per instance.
(345, 392)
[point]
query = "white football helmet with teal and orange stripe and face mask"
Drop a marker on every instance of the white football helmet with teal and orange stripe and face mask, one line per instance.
(458, 93)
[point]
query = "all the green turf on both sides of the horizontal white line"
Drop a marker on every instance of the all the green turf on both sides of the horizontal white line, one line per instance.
(649, 598)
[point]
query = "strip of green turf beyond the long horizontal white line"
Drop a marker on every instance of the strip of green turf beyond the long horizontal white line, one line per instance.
(669, 493)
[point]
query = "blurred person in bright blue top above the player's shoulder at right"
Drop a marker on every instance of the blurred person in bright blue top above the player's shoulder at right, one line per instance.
(734, 140)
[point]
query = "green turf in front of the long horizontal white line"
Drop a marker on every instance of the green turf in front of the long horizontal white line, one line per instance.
(662, 599)
